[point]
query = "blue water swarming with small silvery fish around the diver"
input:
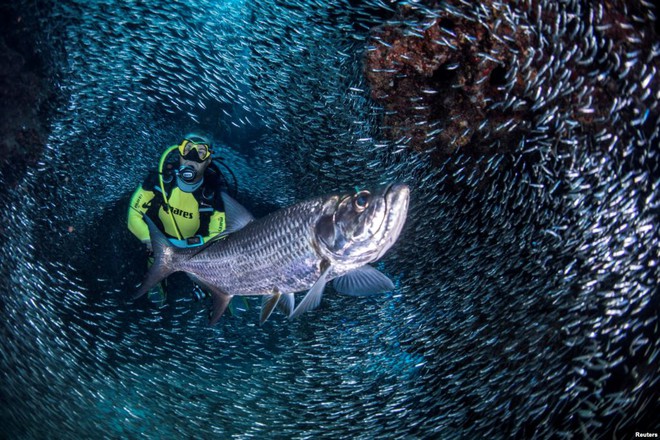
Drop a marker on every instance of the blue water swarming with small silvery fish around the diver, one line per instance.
(526, 301)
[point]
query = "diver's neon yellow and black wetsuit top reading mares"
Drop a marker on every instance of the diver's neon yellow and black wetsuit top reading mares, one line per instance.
(197, 213)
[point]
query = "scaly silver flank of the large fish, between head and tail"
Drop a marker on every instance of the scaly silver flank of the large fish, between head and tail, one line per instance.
(276, 252)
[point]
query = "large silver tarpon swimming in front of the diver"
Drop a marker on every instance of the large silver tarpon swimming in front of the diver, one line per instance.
(291, 250)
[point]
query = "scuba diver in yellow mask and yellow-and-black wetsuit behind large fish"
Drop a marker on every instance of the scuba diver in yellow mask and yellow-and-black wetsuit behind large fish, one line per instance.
(183, 199)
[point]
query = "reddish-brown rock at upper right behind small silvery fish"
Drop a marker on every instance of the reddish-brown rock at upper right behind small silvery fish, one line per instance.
(491, 77)
